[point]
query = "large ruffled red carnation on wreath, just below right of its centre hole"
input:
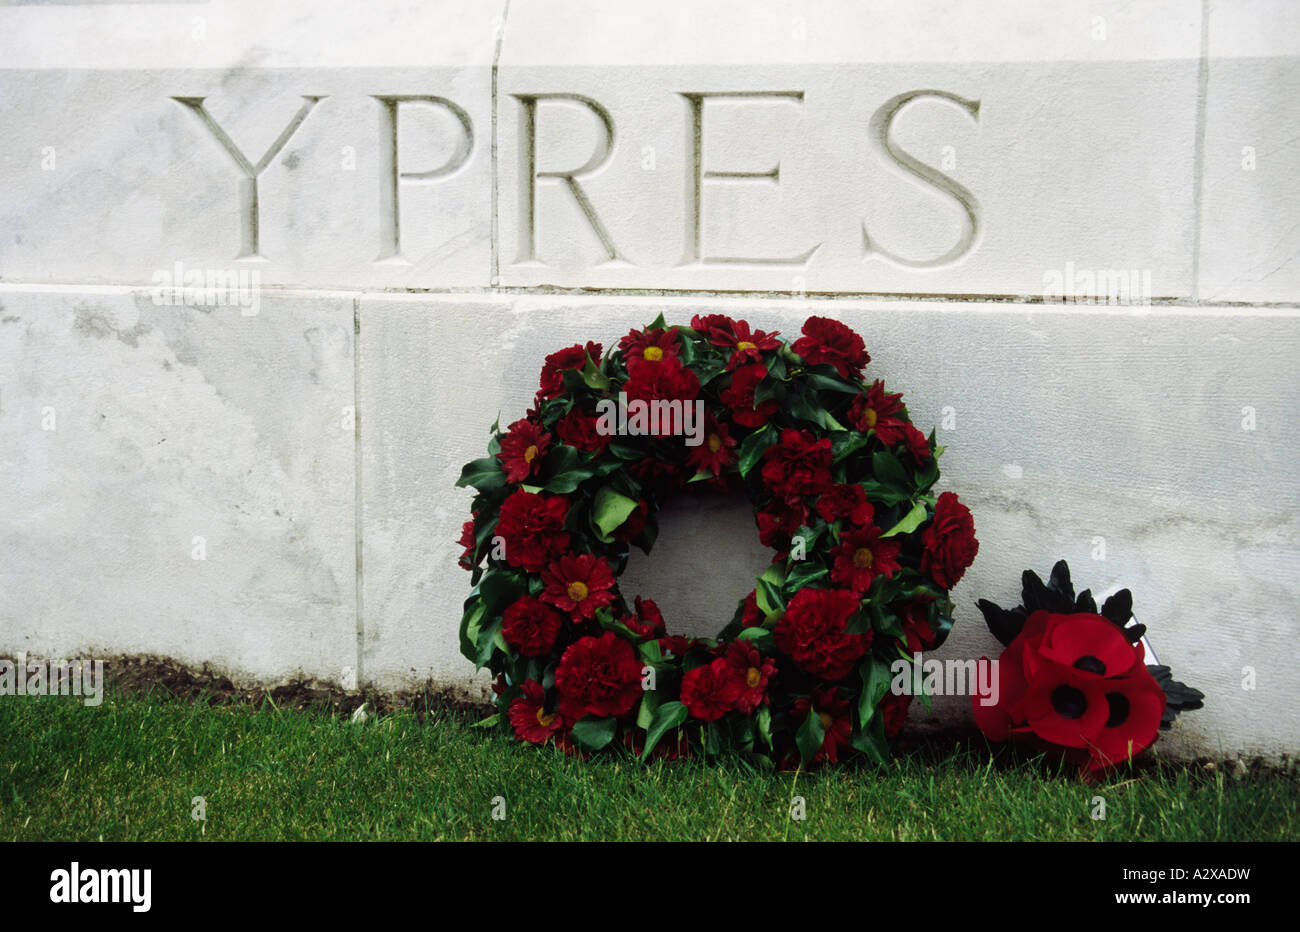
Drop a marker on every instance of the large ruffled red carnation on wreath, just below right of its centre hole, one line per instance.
(813, 632)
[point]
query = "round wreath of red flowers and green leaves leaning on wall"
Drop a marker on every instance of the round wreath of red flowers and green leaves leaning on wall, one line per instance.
(842, 485)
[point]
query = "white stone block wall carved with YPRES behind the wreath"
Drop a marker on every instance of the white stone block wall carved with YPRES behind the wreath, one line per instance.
(435, 196)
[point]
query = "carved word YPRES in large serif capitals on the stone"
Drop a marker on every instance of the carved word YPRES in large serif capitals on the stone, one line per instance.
(879, 133)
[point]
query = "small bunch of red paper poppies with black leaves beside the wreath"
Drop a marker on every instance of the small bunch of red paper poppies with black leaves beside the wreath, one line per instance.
(1076, 682)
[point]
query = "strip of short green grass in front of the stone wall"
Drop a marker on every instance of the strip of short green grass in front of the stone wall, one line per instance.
(129, 769)
